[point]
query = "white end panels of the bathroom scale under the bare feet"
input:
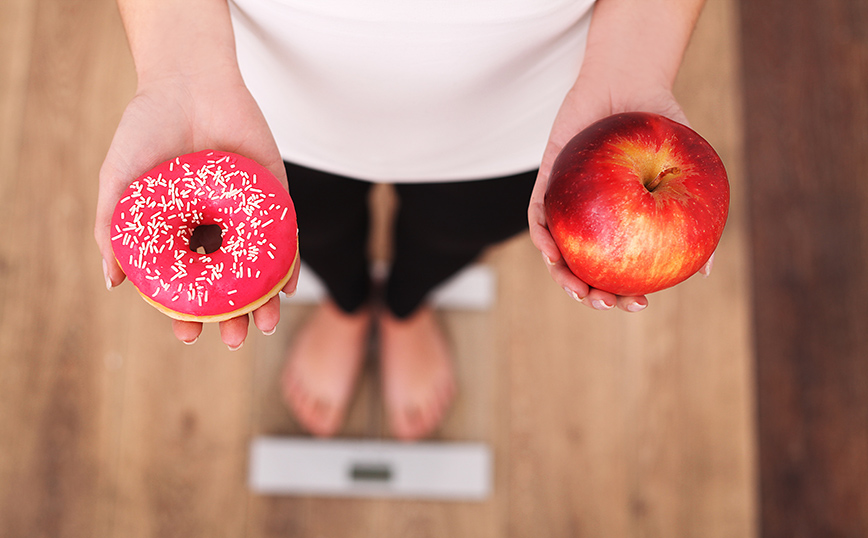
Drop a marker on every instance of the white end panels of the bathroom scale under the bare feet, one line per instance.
(359, 468)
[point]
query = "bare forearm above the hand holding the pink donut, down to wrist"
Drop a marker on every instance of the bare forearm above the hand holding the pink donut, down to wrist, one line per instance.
(172, 37)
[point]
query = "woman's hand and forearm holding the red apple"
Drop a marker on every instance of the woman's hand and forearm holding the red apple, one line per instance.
(629, 65)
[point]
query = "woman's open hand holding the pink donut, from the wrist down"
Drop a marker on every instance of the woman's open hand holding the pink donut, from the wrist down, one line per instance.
(171, 116)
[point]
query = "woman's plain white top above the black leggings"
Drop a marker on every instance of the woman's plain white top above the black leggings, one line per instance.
(411, 90)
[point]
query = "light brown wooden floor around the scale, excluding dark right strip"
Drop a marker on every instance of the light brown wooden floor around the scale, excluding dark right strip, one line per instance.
(602, 424)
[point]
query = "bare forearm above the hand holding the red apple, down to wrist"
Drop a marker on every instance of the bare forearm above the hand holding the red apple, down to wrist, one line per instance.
(639, 41)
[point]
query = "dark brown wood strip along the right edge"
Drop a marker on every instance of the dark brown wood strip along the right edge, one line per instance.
(806, 74)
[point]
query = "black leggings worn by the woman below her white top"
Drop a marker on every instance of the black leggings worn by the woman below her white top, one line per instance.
(439, 229)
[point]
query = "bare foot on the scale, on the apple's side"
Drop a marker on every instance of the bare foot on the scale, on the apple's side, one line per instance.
(418, 373)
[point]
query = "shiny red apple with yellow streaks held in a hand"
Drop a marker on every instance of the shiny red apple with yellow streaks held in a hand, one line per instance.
(636, 203)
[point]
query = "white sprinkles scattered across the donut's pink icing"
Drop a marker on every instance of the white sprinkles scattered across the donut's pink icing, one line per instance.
(161, 213)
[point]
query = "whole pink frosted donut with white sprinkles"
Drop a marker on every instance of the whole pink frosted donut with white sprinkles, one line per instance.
(206, 236)
